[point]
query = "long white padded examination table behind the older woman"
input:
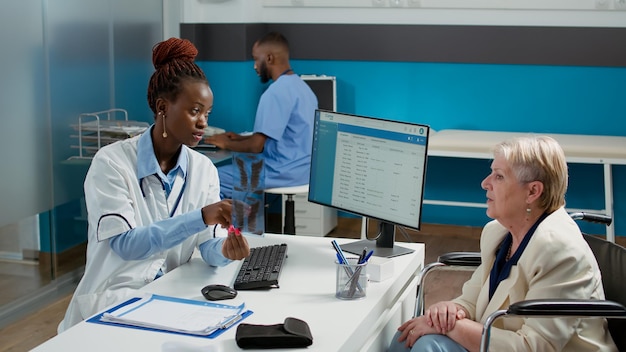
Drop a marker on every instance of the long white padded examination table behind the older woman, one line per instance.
(583, 149)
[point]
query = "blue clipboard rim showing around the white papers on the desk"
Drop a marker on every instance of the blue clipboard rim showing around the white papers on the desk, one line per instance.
(97, 319)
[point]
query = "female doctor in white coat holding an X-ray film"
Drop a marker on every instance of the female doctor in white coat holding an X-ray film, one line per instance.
(151, 200)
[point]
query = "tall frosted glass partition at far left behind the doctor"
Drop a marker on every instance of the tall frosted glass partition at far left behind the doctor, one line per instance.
(60, 59)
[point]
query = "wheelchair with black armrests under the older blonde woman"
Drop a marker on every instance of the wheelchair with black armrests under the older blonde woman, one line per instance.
(611, 260)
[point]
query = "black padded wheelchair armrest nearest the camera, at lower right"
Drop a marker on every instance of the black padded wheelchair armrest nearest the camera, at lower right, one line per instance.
(568, 307)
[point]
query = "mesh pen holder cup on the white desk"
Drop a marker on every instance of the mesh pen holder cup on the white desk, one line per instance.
(351, 280)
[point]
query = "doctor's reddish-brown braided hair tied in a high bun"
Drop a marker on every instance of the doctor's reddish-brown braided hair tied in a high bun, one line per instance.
(173, 60)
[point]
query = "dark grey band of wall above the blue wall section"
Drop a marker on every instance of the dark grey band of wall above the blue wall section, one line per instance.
(569, 46)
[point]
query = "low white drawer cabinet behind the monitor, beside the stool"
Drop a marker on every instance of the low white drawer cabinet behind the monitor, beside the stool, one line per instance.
(311, 219)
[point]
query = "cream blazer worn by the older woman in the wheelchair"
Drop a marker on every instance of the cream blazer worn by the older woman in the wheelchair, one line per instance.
(557, 263)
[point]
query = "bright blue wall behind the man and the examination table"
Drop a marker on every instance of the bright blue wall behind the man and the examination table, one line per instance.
(518, 98)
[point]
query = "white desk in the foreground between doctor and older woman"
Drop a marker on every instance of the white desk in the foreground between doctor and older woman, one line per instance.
(307, 287)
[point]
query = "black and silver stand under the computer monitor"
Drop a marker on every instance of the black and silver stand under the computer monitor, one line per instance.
(383, 247)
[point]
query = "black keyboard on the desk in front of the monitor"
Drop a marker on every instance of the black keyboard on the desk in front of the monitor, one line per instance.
(262, 268)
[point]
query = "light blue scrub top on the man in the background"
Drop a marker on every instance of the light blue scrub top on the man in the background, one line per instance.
(285, 115)
